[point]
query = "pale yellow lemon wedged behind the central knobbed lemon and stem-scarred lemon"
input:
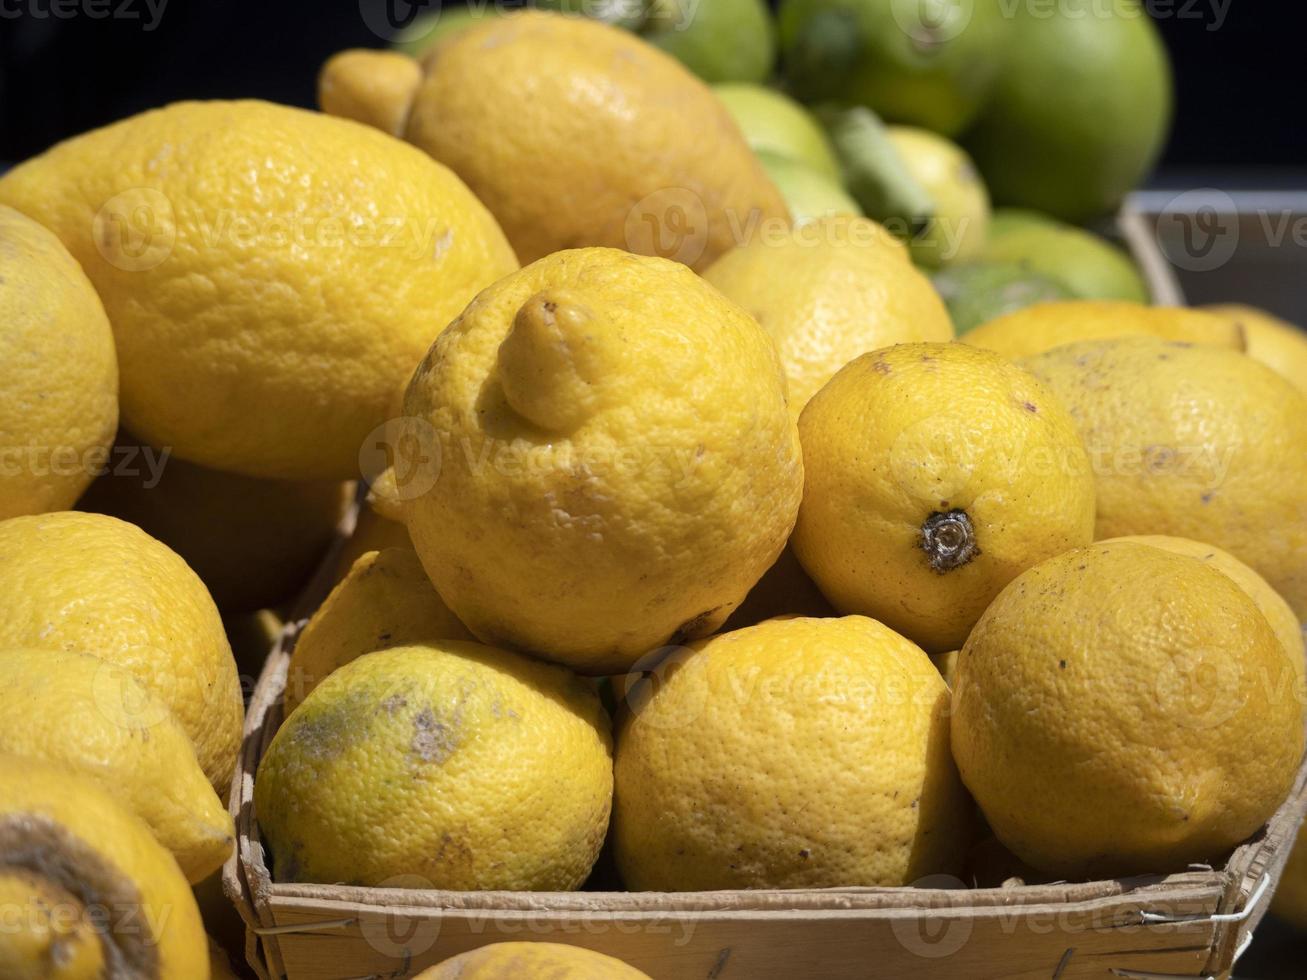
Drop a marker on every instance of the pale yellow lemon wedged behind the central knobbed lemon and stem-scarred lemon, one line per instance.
(828, 293)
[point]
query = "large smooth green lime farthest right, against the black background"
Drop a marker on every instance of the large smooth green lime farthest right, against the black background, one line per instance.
(1080, 112)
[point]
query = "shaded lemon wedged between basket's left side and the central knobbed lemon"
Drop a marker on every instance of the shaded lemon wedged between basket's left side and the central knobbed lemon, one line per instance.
(384, 602)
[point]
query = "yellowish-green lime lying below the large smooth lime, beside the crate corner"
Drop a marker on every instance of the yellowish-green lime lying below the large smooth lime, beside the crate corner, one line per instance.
(1087, 265)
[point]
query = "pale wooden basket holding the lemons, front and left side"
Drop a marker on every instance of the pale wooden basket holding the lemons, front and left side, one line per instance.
(1194, 924)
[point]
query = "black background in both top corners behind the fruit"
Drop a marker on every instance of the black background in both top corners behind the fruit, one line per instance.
(1238, 80)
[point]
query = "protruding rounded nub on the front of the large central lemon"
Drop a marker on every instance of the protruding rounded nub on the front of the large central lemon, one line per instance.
(552, 361)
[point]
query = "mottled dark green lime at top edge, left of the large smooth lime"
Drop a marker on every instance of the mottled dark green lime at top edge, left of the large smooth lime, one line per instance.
(926, 63)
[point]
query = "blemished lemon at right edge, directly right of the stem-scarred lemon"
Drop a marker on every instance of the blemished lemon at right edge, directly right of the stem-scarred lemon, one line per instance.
(1193, 442)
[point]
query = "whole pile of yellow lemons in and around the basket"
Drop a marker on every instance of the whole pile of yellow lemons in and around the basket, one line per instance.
(697, 534)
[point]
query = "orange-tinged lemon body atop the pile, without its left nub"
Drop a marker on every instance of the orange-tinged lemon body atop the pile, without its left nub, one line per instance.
(621, 146)
